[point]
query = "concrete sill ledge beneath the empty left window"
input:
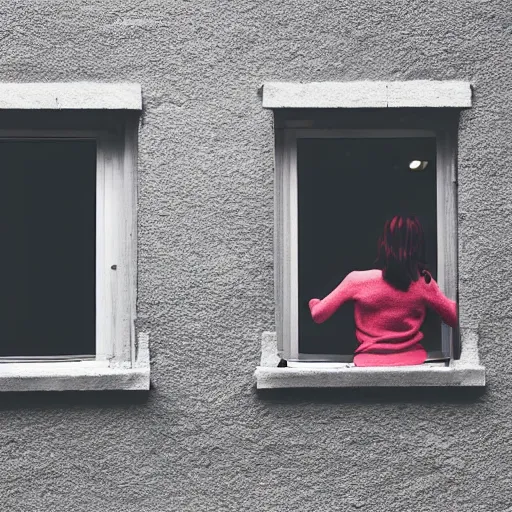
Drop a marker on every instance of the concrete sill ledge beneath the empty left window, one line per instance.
(72, 376)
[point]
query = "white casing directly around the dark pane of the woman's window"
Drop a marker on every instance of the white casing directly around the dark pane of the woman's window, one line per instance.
(286, 289)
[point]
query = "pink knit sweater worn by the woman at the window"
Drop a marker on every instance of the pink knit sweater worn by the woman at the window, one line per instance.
(387, 320)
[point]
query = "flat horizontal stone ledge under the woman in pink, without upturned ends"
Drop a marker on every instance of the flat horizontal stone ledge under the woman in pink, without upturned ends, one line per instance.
(352, 376)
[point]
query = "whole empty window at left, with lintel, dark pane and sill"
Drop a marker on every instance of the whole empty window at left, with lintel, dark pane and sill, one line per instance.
(68, 205)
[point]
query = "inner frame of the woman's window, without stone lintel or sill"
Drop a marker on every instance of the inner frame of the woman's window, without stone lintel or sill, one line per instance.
(286, 225)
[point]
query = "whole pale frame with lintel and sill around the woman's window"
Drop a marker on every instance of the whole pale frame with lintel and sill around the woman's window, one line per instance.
(331, 96)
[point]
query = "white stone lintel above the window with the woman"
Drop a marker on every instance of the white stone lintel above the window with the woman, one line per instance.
(367, 94)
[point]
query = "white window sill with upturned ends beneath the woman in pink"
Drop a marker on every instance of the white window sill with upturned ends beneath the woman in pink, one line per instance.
(463, 372)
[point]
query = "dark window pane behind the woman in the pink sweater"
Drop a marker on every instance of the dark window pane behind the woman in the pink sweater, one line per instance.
(347, 188)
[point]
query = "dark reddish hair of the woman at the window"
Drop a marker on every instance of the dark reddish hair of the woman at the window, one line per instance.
(401, 251)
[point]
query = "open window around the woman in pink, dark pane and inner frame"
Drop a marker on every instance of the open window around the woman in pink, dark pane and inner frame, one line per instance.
(342, 184)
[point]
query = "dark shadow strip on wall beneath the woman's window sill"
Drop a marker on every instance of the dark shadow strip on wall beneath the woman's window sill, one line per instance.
(372, 395)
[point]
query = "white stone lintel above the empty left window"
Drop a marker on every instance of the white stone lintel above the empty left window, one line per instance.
(70, 96)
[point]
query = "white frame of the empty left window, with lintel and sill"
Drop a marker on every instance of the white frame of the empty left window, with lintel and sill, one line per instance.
(121, 361)
